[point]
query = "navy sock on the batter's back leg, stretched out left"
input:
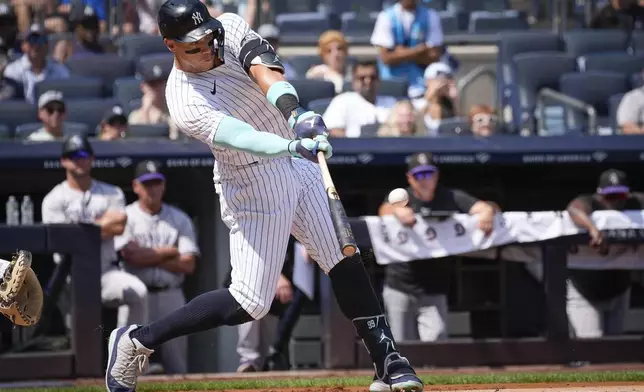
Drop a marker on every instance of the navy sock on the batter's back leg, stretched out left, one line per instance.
(207, 311)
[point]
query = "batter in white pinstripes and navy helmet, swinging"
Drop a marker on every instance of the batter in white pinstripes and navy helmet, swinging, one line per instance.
(227, 90)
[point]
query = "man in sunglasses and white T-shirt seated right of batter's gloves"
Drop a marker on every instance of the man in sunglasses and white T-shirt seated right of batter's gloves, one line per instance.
(351, 110)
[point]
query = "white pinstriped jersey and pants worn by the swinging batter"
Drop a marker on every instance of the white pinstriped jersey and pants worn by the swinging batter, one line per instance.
(262, 200)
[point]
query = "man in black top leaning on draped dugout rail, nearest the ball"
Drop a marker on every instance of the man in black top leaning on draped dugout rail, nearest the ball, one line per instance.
(415, 292)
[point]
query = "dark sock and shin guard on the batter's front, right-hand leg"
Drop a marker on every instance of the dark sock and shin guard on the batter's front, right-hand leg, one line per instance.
(358, 302)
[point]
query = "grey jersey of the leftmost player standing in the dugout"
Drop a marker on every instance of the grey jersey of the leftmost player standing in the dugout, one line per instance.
(66, 205)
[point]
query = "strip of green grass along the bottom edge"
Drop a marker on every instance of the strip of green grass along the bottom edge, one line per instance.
(447, 379)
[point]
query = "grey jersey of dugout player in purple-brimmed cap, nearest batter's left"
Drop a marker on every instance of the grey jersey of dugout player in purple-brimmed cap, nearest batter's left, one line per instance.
(170, 227)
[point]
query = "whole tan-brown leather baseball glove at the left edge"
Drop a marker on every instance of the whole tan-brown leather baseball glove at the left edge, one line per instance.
(21, 296)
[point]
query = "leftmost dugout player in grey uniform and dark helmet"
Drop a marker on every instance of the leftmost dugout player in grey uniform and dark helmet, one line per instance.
(82, 199)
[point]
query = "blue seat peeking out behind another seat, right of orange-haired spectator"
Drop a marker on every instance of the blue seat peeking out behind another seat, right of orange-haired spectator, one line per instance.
(510, 44)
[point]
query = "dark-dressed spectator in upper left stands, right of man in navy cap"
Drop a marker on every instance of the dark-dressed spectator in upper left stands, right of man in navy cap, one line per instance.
(84, 24)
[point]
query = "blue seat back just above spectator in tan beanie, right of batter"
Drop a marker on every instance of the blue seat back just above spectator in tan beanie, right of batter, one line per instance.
(305, 27)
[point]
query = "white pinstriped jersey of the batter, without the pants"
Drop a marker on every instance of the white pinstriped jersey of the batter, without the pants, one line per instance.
(198, 111)
